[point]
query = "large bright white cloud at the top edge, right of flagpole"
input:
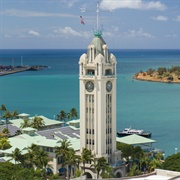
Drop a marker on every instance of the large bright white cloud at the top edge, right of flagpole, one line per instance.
(132, 4)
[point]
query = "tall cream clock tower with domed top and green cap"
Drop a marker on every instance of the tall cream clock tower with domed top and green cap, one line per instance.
(97, 77)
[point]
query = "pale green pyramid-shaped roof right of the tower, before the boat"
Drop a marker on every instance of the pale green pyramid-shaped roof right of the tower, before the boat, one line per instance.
(134, 140)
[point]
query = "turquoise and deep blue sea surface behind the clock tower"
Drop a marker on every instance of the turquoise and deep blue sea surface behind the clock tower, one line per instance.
(151, 106)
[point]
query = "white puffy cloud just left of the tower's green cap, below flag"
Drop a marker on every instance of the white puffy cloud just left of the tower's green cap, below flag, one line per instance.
(68, 31)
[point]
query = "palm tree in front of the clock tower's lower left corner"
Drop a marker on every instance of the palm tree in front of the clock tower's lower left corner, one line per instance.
(86, 156)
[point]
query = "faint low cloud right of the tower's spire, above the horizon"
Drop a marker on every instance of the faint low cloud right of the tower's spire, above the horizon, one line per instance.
(138, 34)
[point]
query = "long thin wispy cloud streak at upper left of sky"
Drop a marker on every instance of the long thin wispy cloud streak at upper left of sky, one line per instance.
(20, 13)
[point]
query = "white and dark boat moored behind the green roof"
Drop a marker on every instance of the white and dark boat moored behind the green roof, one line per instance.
(129, 131)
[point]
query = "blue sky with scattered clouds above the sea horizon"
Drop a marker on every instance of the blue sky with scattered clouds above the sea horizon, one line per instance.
(127, 24)
